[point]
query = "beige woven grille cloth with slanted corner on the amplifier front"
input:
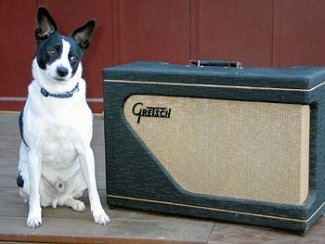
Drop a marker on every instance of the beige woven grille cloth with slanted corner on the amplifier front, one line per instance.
(237, 149)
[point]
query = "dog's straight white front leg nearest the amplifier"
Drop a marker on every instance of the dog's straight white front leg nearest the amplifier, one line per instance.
(88, 167)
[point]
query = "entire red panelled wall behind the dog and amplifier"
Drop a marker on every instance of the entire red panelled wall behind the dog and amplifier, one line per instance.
(273, 33)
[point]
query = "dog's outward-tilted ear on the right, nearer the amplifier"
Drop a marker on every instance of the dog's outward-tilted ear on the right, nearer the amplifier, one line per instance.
(84, 34)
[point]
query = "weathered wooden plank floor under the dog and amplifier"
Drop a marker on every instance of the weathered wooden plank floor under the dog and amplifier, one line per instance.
(127, 226)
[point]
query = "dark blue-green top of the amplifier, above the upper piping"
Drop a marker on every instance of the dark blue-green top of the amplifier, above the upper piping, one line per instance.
(297, 77)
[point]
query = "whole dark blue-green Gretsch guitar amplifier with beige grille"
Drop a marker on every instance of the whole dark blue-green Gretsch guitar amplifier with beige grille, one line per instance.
(245, 145)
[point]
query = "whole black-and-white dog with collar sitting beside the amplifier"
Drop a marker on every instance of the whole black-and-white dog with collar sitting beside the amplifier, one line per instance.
(56, 162)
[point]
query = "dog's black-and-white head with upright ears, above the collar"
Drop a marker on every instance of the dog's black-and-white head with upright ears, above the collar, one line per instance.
(57, 55)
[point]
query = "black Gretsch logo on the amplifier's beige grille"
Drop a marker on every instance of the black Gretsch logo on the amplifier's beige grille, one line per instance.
(155, 112)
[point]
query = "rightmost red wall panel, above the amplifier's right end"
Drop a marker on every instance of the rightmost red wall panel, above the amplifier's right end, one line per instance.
(300, 33)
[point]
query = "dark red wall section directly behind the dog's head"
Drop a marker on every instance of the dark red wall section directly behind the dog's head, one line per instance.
(16, 55)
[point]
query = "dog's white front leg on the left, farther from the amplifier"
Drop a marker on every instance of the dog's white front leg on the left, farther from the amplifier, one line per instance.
(34, 219)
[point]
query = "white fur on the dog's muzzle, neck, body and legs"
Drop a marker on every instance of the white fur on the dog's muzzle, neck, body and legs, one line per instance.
(58, 163)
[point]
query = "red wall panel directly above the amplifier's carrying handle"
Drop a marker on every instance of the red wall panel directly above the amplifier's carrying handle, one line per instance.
(235, 30)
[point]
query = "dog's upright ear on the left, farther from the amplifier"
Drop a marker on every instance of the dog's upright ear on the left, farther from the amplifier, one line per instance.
(45, 24)
